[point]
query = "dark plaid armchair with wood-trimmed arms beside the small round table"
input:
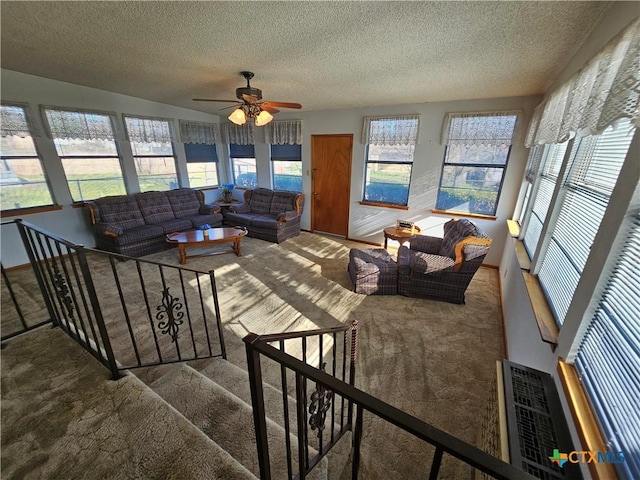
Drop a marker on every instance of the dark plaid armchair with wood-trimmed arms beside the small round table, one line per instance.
(442, 268)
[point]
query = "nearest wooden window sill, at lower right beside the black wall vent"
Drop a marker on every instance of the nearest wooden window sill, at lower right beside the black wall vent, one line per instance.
(584, 420)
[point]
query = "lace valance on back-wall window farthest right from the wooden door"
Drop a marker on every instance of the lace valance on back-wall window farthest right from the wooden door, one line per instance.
(480, 128)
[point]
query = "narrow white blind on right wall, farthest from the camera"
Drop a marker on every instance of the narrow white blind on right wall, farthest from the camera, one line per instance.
(553, 157)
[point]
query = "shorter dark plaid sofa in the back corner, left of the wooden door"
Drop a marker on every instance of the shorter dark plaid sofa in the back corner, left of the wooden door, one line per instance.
(272, 215)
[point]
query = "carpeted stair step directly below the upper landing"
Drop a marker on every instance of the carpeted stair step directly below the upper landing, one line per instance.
(228, 420)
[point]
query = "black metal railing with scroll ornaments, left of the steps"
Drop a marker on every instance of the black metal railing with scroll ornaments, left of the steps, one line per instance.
(178, 319)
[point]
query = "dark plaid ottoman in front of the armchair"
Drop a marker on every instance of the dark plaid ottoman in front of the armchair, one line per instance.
(373, 271)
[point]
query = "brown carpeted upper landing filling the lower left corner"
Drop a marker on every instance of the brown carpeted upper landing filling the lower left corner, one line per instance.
(83, 422)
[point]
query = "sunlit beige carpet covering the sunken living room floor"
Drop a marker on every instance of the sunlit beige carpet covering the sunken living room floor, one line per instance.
(432, 359)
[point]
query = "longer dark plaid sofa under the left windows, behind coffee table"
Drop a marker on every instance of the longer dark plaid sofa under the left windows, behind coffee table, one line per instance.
(136, 225)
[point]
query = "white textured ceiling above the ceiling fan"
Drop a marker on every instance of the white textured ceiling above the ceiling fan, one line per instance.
(324, 55)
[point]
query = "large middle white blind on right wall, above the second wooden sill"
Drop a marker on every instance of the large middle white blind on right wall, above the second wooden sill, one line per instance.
(594, 172)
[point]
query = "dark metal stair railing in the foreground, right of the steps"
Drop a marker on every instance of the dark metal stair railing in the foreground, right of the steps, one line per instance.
(443, 442)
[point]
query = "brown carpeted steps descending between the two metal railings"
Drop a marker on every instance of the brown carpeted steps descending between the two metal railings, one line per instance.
(217, 400)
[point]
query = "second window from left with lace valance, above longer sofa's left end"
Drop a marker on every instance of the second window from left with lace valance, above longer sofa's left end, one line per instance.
(85, 142)
